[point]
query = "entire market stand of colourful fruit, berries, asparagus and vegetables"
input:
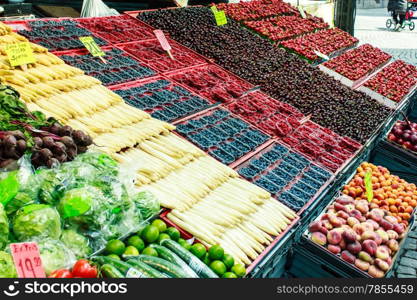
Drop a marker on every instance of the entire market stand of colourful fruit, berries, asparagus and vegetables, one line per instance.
(237, 151)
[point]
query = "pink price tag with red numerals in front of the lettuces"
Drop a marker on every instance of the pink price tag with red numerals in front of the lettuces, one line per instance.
(27, 260)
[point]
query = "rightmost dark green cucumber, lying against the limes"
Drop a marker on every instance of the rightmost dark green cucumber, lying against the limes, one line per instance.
(200, 268)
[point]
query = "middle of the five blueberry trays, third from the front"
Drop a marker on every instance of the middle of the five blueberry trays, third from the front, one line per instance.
(163, 100)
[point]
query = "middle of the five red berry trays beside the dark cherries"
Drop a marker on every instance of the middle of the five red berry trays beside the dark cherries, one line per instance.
(212, 83)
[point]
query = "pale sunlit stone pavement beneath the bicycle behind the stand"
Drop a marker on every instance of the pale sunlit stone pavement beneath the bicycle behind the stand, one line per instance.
(370, 28)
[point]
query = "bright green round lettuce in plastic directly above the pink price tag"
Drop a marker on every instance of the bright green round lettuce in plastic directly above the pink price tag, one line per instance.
(36, 220)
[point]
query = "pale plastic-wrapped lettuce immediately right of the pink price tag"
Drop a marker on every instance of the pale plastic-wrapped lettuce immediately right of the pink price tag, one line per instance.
(55, 255)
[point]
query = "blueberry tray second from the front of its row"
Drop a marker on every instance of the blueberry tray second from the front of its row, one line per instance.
(223, 136)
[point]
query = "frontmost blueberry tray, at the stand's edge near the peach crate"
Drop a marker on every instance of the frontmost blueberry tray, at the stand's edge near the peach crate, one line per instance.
(287, 175)
